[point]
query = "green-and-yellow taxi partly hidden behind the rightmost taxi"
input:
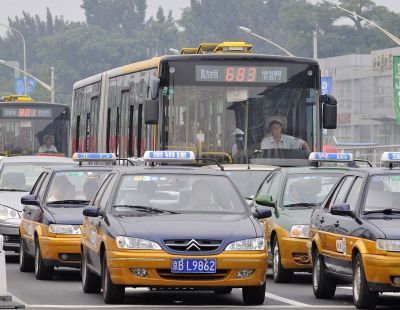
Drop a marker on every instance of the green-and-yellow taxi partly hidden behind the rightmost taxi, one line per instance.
(293, 192)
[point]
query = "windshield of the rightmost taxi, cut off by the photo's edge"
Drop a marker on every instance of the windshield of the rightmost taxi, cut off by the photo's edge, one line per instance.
(383, 193)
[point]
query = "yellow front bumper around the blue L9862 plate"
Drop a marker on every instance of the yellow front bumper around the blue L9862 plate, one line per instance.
(158, 265)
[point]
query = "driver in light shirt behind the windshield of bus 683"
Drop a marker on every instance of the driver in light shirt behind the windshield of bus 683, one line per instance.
(277, 140)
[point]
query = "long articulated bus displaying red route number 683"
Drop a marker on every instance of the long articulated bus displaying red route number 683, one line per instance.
(215, 100)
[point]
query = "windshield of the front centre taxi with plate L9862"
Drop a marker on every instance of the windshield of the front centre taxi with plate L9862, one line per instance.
(178, 193)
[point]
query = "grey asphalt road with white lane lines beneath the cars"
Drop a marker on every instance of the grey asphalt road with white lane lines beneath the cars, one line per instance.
(65, 292)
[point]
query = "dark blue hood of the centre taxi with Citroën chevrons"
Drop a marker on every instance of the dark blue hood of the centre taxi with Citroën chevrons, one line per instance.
(225, 227)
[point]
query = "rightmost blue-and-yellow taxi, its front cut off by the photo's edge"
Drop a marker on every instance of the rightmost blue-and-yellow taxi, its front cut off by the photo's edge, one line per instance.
(355, 236)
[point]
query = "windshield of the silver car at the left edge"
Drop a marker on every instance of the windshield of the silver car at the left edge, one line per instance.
(20, 176)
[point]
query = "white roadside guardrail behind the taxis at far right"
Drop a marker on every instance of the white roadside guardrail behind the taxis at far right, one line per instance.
(371, 153)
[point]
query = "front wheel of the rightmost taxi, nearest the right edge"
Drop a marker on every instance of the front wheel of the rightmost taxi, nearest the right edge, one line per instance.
(362, 296)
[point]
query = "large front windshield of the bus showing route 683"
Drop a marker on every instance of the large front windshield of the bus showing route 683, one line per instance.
(258, 113)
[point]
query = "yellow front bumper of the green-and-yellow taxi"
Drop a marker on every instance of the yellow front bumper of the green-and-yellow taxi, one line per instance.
(294, 254)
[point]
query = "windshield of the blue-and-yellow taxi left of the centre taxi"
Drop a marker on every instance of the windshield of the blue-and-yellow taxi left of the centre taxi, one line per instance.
(74, 186)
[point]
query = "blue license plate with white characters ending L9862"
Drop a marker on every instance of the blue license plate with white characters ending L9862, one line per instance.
(194, 265)
